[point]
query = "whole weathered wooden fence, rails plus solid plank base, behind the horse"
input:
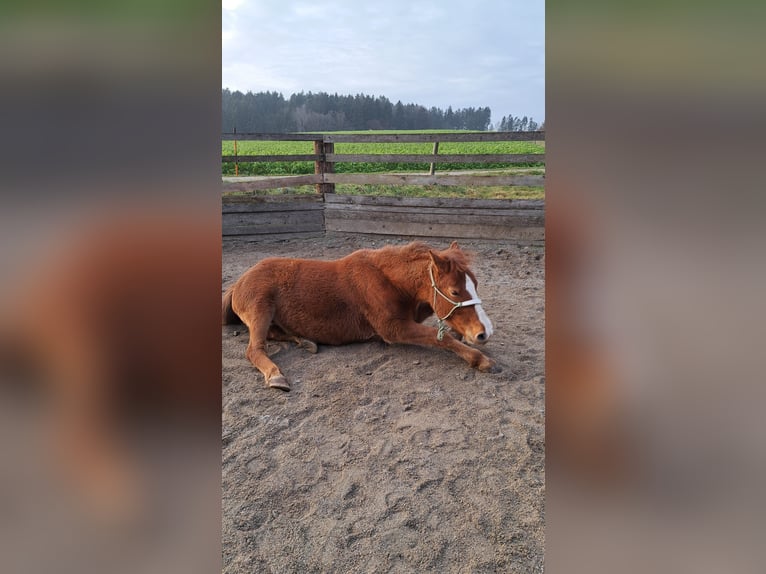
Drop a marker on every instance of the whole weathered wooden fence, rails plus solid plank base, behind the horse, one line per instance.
(522, 220)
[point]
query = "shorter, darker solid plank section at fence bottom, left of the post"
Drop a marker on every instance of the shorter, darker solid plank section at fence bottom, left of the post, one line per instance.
(248, 216)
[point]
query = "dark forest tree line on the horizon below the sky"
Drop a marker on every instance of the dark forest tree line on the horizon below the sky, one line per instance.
(271, 112)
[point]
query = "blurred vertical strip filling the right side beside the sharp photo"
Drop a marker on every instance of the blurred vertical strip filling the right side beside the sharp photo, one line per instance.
(654, 312)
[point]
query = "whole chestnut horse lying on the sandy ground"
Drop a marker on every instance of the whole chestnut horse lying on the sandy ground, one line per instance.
(372, 293)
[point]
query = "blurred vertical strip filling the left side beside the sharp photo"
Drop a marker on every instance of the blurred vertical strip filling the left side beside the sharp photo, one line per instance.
(109, 289)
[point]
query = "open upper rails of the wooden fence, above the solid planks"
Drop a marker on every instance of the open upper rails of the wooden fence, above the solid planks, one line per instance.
(325, 158)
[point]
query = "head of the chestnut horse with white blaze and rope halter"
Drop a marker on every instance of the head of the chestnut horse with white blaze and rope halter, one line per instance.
(455, 300)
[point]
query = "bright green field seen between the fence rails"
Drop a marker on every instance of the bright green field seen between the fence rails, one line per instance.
(307, 167)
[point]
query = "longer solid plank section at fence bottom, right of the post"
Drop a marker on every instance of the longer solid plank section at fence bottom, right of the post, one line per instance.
(507, 219)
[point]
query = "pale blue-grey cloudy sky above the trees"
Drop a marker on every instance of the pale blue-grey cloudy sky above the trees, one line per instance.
(434, 53)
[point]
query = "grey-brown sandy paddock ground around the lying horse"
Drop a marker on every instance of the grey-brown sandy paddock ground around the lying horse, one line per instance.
(389, 458)
